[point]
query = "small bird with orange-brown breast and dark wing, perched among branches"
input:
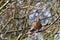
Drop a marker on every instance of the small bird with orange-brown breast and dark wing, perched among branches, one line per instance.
(36, 25)
